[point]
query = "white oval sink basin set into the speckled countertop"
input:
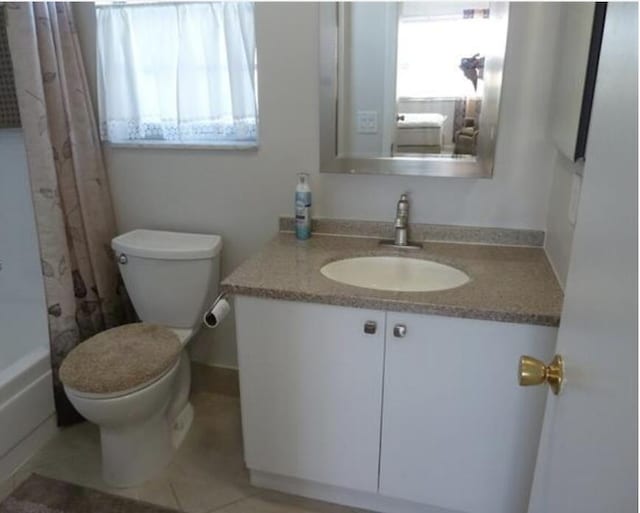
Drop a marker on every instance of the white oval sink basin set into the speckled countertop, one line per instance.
(394, 273)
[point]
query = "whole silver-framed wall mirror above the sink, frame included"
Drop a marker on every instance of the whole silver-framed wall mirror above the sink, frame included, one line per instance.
(411, 88)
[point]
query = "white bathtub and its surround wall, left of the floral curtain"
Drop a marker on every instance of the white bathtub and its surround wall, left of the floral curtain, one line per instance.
(26, 396)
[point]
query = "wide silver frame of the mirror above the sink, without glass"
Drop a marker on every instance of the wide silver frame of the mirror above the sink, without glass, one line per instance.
(479, 167)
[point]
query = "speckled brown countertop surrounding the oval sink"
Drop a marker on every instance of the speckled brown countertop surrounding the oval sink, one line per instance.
(508, 283)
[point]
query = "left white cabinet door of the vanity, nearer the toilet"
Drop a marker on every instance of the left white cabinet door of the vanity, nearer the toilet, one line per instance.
(311, 390)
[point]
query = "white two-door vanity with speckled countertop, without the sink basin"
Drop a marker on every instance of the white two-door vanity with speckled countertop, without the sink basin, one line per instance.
(393, 401)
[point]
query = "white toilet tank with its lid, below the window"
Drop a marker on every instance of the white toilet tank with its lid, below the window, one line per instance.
(171, 277)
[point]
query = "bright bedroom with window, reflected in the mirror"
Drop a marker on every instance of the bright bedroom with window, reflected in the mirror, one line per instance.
(439, 77)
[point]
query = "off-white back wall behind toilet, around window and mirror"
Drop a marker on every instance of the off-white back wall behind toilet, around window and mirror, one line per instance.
(240, 194)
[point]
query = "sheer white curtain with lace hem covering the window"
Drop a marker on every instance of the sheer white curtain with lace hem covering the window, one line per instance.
(178, 72)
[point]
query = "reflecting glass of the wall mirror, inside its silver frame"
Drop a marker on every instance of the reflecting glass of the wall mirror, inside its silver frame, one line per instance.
(411, 78)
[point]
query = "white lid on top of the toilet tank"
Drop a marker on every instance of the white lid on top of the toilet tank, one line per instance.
(165, 245)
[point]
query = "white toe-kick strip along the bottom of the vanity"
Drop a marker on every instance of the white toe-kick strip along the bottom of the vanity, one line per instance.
(338, 495)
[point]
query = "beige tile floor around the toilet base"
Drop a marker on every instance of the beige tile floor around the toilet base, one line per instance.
(207, 472)
